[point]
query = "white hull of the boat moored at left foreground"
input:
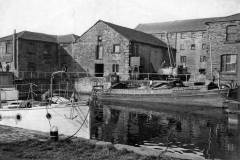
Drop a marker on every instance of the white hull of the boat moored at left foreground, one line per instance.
(66, 118)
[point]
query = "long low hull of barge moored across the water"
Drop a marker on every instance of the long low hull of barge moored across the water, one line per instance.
(210, 98)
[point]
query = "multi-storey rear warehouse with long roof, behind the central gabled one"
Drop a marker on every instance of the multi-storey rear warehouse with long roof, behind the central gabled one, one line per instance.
(188, 37)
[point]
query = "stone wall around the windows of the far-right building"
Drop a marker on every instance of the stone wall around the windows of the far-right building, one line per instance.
(219, 46)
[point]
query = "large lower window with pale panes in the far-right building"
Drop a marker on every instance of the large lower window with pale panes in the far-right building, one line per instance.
(229, 63)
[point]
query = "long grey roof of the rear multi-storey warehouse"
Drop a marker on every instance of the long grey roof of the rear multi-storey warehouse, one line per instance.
(175, 26)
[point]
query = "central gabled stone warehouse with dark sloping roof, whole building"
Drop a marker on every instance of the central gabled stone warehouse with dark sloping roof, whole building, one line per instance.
(107, 48)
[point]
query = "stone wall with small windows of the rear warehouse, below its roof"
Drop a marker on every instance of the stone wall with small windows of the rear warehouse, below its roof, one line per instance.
(183, 48)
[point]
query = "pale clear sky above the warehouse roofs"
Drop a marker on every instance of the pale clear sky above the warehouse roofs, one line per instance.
(76, 16)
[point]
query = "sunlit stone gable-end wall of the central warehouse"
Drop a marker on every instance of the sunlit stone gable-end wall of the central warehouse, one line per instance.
(85, 50)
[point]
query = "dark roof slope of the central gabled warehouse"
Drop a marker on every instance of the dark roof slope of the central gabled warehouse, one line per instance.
(137, 36)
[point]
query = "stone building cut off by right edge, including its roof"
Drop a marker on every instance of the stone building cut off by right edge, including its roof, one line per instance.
(224, 35)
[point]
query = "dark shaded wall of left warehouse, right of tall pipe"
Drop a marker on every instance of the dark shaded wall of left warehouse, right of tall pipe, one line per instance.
(37, 56)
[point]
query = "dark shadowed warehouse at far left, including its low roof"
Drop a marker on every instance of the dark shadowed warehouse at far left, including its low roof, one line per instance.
(26, 52)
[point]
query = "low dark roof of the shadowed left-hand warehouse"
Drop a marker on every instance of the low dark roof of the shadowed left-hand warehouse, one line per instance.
(43, 37)
